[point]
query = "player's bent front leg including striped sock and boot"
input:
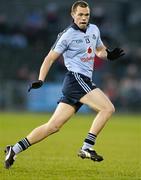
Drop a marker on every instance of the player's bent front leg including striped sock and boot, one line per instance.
(98, 101)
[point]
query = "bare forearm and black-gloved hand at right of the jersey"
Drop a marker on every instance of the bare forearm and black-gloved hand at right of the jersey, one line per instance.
(104, 53)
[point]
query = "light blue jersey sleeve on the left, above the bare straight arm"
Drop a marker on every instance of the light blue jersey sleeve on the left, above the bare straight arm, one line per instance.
(61, 43)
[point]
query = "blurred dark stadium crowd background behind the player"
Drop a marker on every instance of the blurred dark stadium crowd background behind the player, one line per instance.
(28, 29)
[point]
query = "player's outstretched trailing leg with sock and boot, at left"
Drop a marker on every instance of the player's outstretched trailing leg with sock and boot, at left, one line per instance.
(62, 113)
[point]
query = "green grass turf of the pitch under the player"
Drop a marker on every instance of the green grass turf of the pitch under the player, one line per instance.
(56, 157)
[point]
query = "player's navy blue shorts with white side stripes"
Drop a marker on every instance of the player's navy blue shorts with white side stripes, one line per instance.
(75, 86)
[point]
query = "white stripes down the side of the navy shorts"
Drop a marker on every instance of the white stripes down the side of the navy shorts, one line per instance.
(82, 83)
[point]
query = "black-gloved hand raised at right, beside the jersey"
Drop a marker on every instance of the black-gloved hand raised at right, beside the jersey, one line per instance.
(114, 54)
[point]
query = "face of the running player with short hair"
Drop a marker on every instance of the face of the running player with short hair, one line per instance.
(81, 17)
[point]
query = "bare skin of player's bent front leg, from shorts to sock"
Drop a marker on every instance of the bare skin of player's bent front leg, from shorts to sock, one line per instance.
(98, 101)
